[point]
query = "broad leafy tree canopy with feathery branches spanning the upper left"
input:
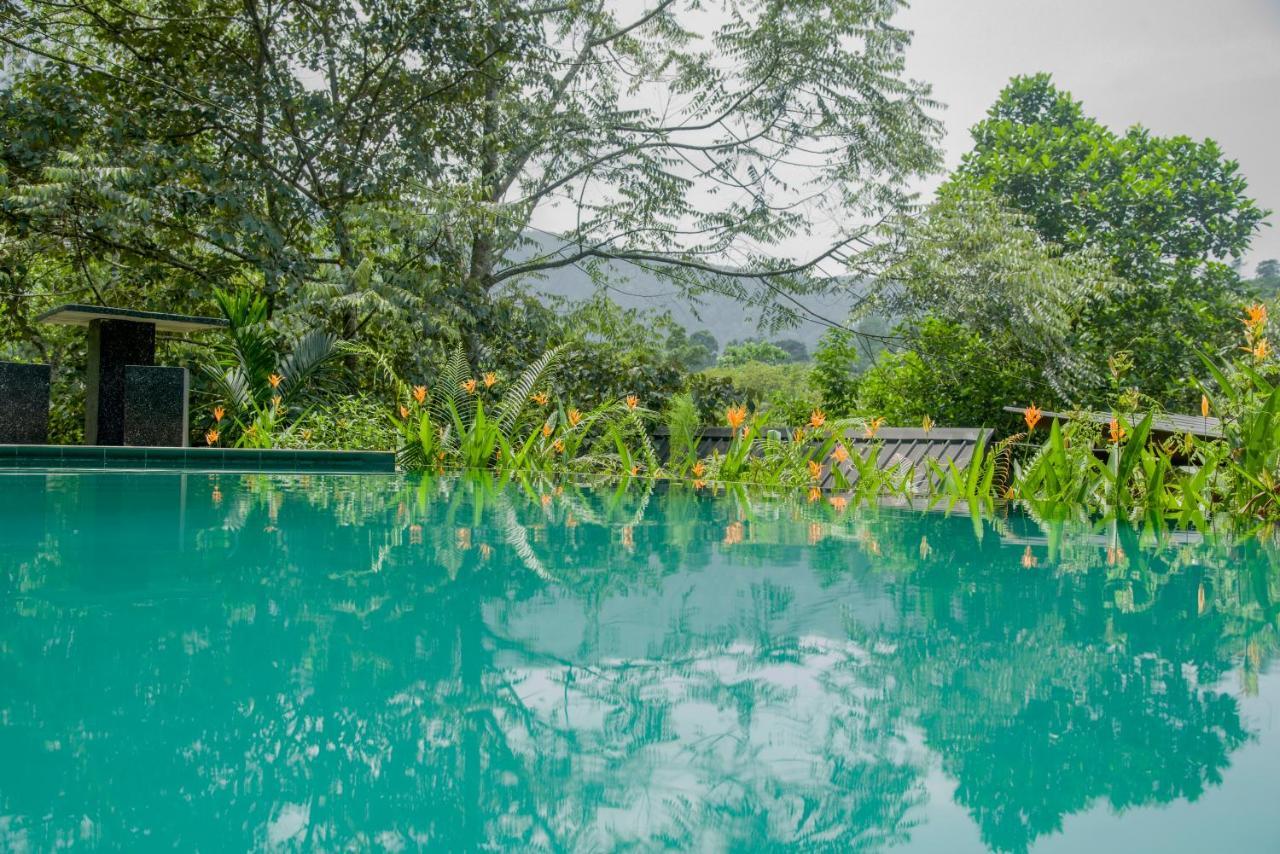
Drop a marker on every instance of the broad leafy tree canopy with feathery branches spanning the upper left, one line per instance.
(285, 144)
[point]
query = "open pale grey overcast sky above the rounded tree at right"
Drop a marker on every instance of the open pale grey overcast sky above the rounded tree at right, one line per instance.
(1206, 68)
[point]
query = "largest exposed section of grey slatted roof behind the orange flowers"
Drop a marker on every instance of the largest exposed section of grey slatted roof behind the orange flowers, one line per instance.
(907, 451)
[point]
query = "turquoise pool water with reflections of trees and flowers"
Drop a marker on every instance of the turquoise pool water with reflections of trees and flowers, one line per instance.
(223, 663)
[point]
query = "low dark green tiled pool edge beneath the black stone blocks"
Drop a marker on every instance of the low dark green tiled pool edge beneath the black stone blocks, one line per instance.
(25, 458)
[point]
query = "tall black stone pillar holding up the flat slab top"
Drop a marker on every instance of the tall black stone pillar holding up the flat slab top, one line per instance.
(112, 346)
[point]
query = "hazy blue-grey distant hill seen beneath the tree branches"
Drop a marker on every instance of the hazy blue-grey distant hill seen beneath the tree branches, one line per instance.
(633, 287)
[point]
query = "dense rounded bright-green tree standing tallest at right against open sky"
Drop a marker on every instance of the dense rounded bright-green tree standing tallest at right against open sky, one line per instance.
(1167, 216)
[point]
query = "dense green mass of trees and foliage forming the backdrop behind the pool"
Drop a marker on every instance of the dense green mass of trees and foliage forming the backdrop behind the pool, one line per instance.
(369, 188)
